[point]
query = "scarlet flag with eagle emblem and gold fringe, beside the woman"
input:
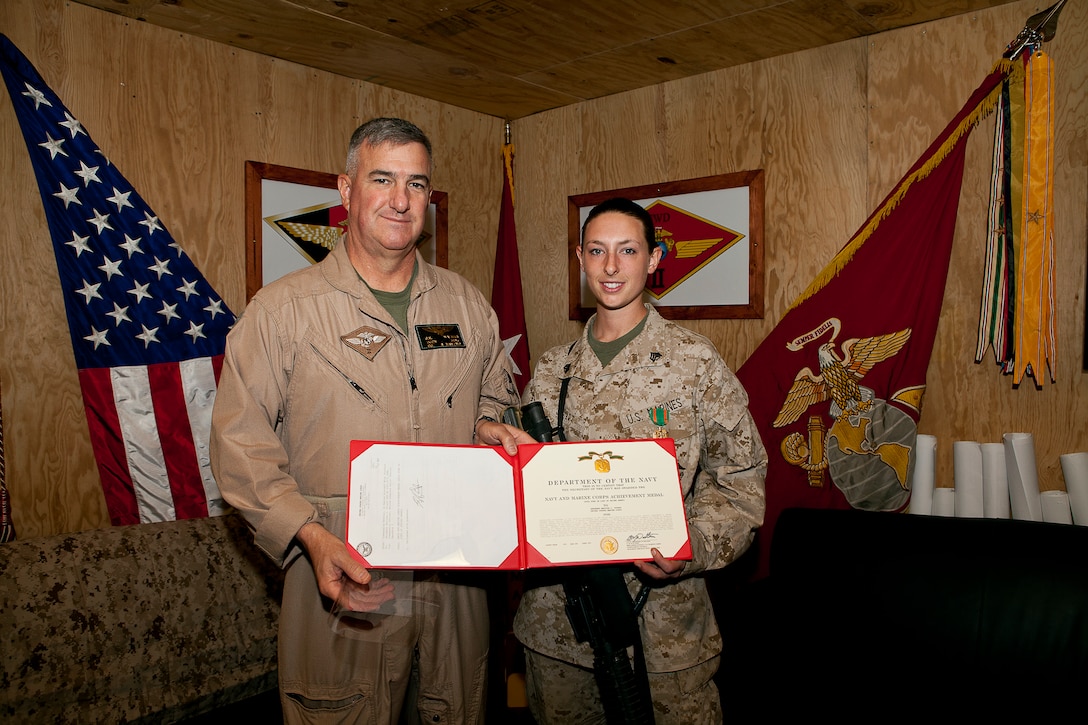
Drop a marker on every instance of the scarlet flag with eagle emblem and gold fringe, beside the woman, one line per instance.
(836, 389)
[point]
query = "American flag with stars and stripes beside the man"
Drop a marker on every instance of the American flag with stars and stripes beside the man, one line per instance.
(147, 329)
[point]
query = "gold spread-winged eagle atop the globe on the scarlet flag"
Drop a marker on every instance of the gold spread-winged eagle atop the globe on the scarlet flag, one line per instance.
(838, 377)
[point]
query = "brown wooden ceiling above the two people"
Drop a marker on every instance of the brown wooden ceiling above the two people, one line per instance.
(514, 58)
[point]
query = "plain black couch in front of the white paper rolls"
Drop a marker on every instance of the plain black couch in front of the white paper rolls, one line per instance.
(882, 616)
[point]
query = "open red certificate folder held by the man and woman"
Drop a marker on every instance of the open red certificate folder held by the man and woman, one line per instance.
(441, 507)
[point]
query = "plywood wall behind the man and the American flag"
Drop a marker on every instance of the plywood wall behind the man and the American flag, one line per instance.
(179, 117)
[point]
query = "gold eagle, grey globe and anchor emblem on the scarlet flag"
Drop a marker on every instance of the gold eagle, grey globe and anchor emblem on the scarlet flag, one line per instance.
(867, 450)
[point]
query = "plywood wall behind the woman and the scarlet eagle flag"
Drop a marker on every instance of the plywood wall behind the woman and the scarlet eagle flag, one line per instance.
(835, 129)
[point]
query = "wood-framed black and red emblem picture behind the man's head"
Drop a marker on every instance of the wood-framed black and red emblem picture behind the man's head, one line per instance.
(279, 199)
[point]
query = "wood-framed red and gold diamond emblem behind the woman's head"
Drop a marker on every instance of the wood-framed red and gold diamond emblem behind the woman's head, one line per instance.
(712, 229)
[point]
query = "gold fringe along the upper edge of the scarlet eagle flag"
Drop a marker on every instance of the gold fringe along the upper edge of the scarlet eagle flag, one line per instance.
(985, 107)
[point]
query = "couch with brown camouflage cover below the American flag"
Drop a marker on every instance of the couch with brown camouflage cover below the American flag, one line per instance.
(158, 623)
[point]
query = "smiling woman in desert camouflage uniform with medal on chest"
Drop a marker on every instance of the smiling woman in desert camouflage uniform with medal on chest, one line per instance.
(635, 375)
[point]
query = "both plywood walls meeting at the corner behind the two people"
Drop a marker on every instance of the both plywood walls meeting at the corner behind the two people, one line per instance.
(833, 128)
